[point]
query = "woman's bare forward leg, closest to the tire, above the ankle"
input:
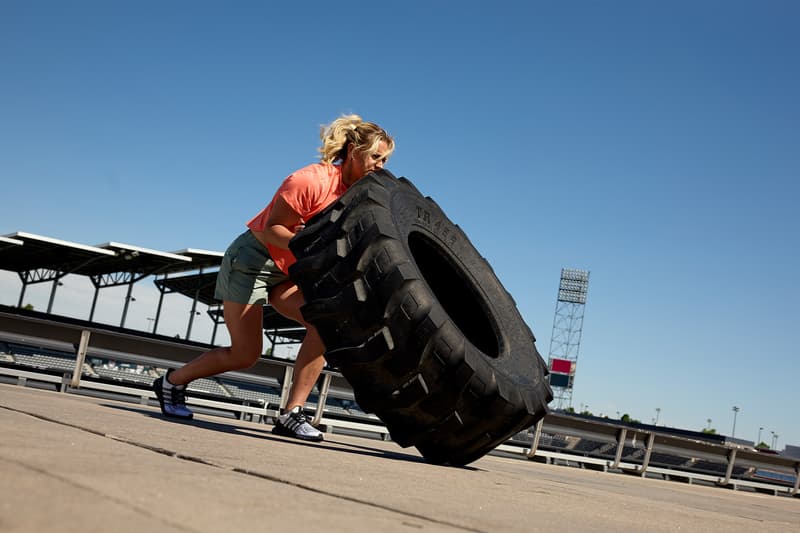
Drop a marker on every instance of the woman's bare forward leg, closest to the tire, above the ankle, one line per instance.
(287, 299)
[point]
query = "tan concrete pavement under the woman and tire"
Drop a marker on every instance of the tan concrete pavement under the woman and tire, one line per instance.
(73, 463)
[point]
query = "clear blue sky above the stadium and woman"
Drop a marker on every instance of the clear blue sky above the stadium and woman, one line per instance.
(654, 144)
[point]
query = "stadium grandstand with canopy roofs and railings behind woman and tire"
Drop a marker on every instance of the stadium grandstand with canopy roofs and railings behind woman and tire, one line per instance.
(80, 356)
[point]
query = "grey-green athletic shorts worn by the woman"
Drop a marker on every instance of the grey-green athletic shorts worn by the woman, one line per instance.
(247, 272)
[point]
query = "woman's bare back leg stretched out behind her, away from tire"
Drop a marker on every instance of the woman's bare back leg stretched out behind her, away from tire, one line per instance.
(244, 323)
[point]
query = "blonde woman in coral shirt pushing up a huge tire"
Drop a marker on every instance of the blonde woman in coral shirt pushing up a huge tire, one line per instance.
(255, 268)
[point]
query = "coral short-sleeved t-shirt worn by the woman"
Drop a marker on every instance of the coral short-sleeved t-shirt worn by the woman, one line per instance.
(307, 191)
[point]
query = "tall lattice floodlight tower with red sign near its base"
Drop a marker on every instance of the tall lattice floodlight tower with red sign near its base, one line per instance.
(565, 340)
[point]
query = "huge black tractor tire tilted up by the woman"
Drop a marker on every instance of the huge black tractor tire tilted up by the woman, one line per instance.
(418, 323)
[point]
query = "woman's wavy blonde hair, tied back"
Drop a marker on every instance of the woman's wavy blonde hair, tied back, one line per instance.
(365, 136)
